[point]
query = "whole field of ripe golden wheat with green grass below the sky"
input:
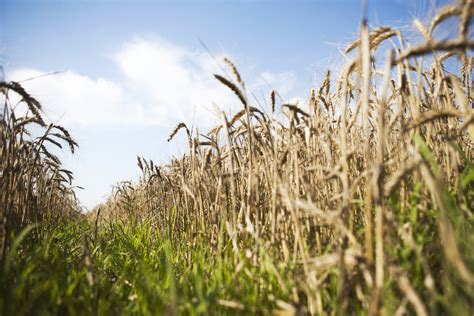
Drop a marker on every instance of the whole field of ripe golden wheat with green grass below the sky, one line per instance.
(359, 202)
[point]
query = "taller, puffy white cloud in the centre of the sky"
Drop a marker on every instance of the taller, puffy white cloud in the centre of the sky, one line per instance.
(176, 84)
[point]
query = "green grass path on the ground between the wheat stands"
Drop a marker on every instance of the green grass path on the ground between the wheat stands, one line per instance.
(131, 269)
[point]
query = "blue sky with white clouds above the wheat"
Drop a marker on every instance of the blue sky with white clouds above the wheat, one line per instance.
(131, 70)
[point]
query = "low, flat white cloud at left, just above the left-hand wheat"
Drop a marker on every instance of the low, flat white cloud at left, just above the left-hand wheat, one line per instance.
(74, 99)
